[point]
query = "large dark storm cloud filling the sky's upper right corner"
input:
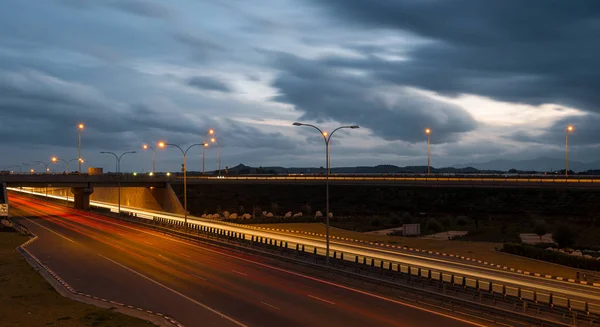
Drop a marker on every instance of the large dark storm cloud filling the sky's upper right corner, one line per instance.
(540, 51)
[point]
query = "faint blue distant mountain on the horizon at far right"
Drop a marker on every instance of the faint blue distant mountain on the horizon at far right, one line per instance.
(542, 164)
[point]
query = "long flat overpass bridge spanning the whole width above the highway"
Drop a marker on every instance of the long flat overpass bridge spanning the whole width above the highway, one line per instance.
(82, 186)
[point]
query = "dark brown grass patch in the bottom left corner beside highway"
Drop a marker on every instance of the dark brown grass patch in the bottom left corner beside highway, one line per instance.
(26, 299)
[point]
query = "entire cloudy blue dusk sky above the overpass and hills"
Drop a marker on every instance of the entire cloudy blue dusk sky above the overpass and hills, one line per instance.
(491, 79)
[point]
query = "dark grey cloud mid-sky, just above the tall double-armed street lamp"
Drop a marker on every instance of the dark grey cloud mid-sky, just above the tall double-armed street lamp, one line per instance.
(323, 93)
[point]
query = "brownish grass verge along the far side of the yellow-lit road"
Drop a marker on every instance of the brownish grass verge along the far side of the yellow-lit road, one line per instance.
(485, 251)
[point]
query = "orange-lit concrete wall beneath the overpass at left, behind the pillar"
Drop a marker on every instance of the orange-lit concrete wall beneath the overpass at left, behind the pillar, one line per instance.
(154, 198)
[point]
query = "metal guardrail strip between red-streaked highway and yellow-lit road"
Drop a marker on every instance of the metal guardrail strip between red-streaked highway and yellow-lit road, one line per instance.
(381, 271)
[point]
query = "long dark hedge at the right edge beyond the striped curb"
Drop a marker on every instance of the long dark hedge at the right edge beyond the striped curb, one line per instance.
(533, 252)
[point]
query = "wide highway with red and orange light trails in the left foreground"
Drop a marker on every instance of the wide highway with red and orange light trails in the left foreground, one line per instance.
(197, 285)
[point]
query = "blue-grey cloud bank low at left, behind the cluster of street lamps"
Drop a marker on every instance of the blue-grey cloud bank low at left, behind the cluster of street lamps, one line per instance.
(36, 108)
